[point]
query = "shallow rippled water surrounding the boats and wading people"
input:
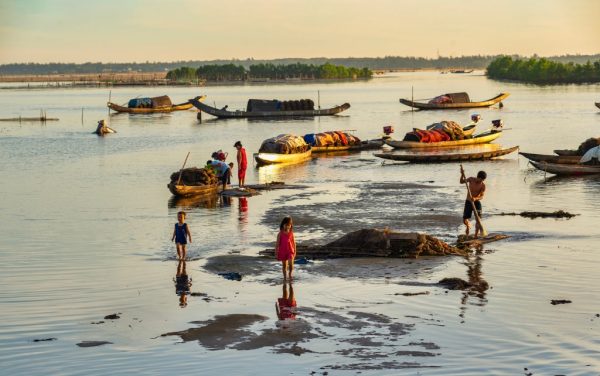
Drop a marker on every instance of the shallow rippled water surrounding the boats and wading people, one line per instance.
(87, 221)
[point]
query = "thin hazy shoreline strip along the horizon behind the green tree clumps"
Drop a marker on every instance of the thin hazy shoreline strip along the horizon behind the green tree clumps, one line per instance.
(387, 62)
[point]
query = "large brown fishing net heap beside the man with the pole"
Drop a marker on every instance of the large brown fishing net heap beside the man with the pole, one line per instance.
(380, 243)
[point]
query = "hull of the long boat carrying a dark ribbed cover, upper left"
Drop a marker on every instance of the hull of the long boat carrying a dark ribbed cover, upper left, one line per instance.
(240, 114)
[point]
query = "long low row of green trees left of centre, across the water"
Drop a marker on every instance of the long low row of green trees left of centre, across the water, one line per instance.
(232, 72)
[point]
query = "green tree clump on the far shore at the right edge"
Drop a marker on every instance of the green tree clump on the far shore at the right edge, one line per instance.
(543, 71)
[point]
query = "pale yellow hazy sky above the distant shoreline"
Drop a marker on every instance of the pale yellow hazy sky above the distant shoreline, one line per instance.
(79, 31)
